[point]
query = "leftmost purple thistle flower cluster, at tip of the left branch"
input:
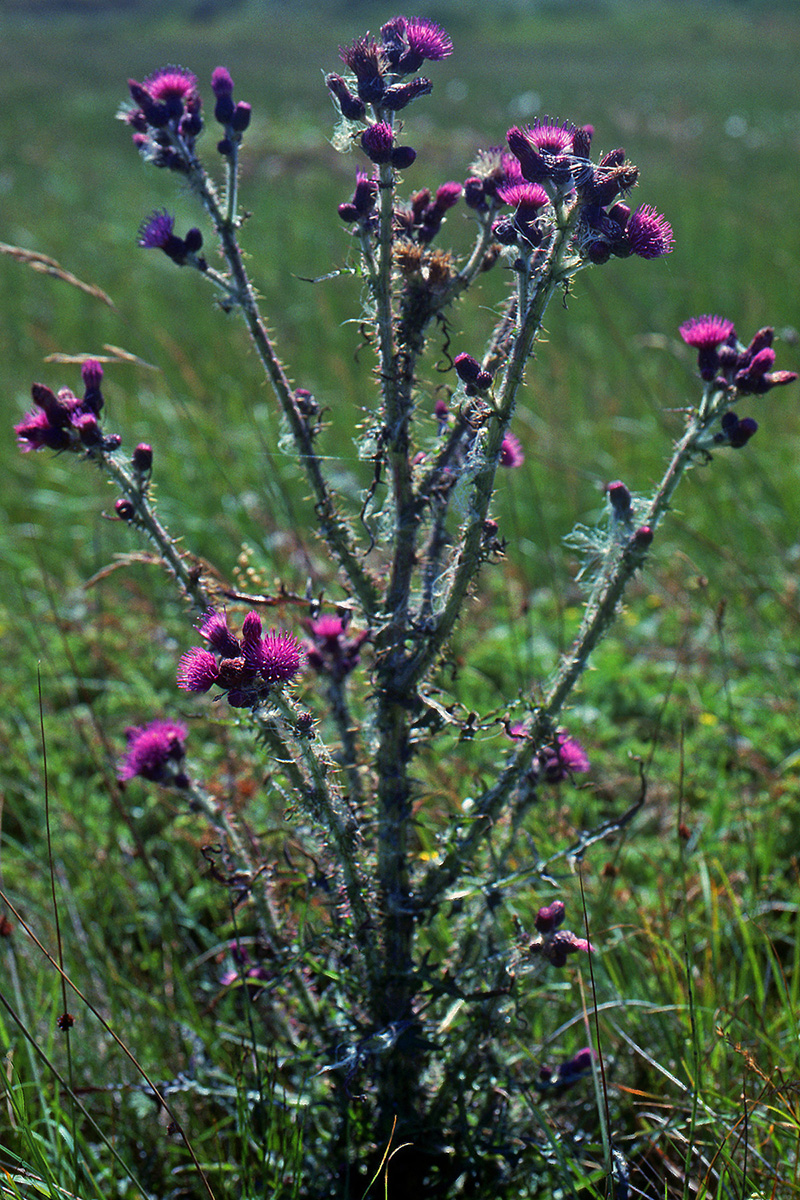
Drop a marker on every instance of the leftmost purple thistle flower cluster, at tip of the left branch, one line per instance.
(65, 422)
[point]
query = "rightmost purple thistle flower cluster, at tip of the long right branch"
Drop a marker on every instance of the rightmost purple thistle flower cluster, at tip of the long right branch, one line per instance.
(732, 369)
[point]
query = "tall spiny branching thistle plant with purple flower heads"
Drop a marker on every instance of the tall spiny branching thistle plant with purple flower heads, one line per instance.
(392, 999)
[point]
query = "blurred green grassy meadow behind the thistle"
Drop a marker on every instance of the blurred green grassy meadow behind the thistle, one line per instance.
(696, 908)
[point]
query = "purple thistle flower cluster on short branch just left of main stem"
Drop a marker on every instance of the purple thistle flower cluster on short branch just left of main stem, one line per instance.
(248, 668)
